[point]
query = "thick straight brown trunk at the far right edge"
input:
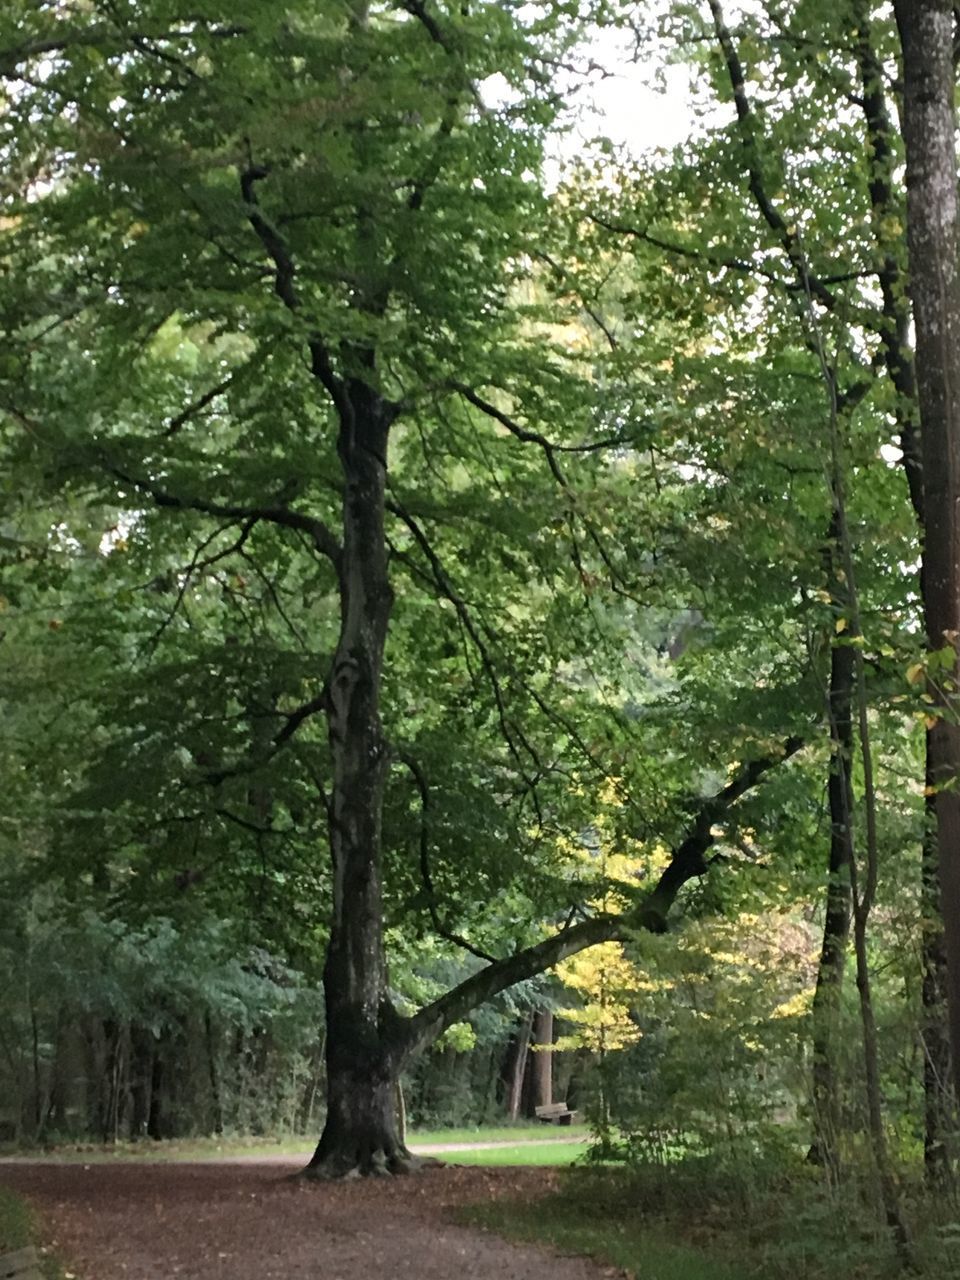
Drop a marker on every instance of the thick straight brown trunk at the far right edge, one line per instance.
(927, 38)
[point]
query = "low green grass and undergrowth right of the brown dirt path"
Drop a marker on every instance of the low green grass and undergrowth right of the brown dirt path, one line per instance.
(693, 1220)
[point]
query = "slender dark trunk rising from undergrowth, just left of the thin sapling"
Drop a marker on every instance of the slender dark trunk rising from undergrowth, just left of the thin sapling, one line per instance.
(836, 926)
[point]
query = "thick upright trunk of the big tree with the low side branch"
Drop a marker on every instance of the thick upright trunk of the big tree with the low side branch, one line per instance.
(365, 1044)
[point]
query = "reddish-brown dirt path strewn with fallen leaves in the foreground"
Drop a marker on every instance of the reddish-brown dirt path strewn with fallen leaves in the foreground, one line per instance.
(182, 1222)
